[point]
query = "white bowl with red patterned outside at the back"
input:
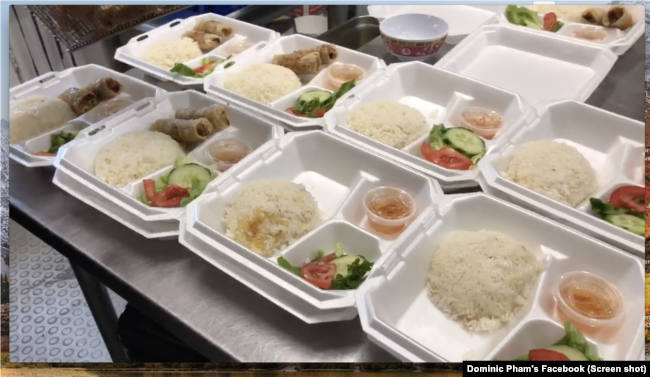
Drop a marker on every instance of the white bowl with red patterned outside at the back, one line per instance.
(411, 37)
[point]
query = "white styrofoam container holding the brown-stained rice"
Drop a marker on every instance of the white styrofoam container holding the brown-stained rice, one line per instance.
(321, 163)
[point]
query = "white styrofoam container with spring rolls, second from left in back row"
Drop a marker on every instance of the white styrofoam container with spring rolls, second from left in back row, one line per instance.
(214, 83)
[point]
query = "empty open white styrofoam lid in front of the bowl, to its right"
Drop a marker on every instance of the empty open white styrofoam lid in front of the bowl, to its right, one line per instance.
(538, 66)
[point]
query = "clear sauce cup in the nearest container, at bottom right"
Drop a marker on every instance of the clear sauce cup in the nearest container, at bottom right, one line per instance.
(589, 301)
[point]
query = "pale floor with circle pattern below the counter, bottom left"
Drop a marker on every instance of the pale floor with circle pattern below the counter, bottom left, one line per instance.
(49, 318)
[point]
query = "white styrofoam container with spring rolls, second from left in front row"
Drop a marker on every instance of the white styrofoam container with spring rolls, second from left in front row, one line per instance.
(76, 163)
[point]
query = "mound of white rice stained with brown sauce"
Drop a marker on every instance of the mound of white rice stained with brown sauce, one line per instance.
(268, 215)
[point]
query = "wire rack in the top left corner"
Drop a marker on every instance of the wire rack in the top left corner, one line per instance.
(77, 26)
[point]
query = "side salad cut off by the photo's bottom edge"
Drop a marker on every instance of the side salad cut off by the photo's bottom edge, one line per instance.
(572, 347)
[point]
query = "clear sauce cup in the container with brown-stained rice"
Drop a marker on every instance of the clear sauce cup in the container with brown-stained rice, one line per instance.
(388, 209)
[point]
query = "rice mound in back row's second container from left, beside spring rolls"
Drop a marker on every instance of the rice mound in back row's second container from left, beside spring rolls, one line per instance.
(263, 83)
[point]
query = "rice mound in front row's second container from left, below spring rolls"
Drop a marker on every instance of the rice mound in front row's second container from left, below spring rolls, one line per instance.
(134, 155)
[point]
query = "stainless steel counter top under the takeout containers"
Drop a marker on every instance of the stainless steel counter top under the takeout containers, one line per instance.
(204, 307)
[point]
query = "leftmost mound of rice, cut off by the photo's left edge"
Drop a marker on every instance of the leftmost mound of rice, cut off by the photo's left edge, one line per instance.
(35, 116)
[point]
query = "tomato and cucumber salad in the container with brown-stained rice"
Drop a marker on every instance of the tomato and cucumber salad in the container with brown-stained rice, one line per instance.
(335, 271)
